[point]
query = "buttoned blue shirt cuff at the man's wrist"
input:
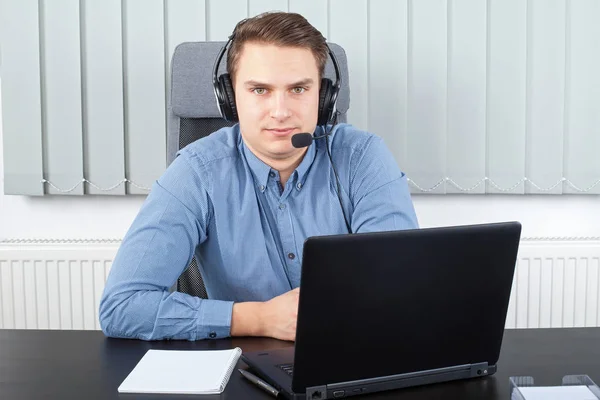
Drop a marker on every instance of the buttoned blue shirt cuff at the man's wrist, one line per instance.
(215, 319)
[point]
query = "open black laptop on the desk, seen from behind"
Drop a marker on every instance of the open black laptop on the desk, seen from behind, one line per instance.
(387, 310)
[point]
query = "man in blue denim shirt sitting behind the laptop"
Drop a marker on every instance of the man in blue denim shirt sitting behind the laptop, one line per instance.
(244, 199)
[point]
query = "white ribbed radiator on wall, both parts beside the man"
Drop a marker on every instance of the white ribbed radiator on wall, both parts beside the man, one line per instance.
(46, 285)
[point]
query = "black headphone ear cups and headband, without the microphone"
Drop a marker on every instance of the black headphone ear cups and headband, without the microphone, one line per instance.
(223, 88)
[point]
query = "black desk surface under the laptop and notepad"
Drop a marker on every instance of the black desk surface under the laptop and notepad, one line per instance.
(87, 365)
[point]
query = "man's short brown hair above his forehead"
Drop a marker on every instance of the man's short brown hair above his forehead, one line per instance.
(280, 29)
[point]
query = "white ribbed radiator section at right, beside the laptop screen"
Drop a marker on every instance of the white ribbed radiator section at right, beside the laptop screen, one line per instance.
(556, 284)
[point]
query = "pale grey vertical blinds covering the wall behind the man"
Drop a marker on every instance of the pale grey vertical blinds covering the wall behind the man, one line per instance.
(471, 96)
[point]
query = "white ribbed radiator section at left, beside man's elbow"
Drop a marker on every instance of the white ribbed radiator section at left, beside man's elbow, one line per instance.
(53, 285)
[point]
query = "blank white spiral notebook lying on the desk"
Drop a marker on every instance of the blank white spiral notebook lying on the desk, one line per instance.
(182, 371)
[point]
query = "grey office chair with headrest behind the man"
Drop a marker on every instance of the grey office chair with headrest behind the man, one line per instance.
(192, 114)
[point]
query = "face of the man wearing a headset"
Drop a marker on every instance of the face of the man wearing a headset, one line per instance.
(277, 96)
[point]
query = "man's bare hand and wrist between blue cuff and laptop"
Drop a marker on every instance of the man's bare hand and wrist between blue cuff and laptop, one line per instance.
(275, 318)
